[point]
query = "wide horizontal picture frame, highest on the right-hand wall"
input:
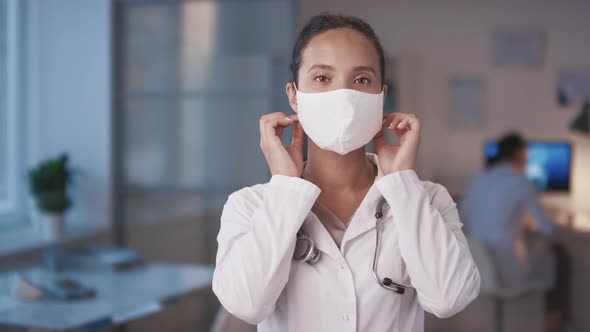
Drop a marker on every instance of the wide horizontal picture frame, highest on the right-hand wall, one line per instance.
(518, 48)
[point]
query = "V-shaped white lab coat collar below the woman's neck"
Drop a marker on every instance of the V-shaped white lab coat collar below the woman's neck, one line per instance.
(361, 222)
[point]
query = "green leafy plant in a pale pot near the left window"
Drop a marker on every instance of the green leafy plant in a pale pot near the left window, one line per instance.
(49, 184)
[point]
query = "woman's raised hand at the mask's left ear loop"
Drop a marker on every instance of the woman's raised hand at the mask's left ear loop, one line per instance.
(282, 160)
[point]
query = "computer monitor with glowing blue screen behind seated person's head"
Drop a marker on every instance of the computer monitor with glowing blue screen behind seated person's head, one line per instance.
(549, 164)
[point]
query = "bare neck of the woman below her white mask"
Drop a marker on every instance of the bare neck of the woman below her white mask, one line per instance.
(331, 171)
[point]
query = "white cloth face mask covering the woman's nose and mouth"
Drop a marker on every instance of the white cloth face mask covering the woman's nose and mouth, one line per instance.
(340, 120)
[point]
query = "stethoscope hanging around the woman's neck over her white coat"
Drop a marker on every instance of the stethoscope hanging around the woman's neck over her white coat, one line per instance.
(306, 251)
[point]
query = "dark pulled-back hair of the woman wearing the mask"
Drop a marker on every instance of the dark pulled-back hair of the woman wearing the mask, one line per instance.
(324, 22)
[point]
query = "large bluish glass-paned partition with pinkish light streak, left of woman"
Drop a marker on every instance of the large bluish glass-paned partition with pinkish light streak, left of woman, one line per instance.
(195, 78)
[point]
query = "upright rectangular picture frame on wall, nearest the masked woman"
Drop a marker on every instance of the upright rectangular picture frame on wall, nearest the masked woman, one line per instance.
(467, 102)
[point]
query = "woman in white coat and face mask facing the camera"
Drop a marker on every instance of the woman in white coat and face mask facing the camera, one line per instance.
(334, 199)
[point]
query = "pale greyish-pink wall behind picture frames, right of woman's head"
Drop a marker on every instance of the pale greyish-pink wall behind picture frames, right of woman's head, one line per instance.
(454, 37)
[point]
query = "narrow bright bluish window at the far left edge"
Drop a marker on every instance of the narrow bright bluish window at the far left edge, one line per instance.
(11, 176)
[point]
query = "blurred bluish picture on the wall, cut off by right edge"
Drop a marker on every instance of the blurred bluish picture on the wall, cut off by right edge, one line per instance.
(573, 87)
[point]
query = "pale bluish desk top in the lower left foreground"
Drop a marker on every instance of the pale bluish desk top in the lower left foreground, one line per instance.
(120, 296)
